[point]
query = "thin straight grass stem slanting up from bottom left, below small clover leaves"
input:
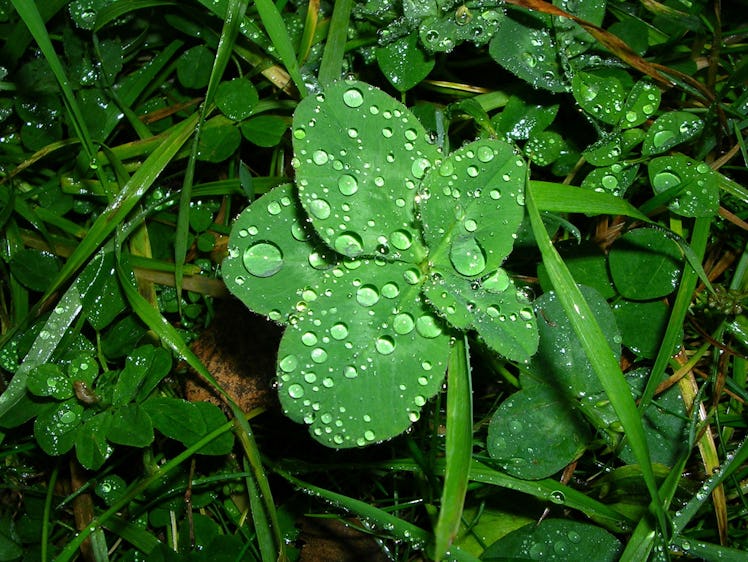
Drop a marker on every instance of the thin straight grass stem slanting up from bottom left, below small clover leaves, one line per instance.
(69, 551)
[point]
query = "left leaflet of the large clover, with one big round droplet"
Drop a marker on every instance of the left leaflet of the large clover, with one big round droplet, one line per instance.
(274, 257)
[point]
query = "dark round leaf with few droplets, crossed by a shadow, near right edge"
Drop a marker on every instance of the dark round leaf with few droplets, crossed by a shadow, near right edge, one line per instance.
(645, 264)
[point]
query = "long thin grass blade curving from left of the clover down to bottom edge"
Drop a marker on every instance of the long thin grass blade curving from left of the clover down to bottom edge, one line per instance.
(171, 337)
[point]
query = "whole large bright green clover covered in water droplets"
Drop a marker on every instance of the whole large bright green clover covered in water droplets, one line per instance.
(385, 249)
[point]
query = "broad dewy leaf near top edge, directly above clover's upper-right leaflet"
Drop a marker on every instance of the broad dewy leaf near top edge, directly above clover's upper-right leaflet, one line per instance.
(524, 46)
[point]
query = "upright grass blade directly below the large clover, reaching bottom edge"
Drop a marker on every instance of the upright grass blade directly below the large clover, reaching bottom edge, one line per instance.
(459, 446)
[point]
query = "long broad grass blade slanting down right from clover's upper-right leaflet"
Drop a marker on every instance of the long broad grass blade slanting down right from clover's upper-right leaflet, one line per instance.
(598, 352)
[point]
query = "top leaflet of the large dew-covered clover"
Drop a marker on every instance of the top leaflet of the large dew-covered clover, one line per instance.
(359, 156)
